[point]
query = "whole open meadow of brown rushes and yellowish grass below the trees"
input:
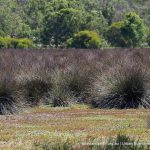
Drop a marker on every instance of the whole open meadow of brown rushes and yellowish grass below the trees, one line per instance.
(82, 98)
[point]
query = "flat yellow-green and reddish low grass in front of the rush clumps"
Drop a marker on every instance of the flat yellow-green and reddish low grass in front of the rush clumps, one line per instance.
(77, 123)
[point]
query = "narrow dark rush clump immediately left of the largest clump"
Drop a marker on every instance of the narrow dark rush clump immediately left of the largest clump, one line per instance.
(79, 80)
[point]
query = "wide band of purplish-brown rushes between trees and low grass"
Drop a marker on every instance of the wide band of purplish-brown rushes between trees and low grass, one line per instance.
(36, 74)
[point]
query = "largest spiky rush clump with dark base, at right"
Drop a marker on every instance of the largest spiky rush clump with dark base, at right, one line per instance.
(122, 87)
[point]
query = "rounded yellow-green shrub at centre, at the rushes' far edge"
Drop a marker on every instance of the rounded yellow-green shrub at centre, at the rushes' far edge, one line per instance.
(85, 39)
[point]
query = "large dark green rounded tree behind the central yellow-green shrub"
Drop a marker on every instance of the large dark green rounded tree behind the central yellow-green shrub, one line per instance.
(61, 25)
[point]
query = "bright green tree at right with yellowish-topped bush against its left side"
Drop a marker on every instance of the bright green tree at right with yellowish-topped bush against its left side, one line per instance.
(128, 33)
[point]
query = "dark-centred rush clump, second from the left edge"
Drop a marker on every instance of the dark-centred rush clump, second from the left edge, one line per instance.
(34, 88)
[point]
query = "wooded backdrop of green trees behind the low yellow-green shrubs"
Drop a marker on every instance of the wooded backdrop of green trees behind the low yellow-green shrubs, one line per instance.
(50, 23)
